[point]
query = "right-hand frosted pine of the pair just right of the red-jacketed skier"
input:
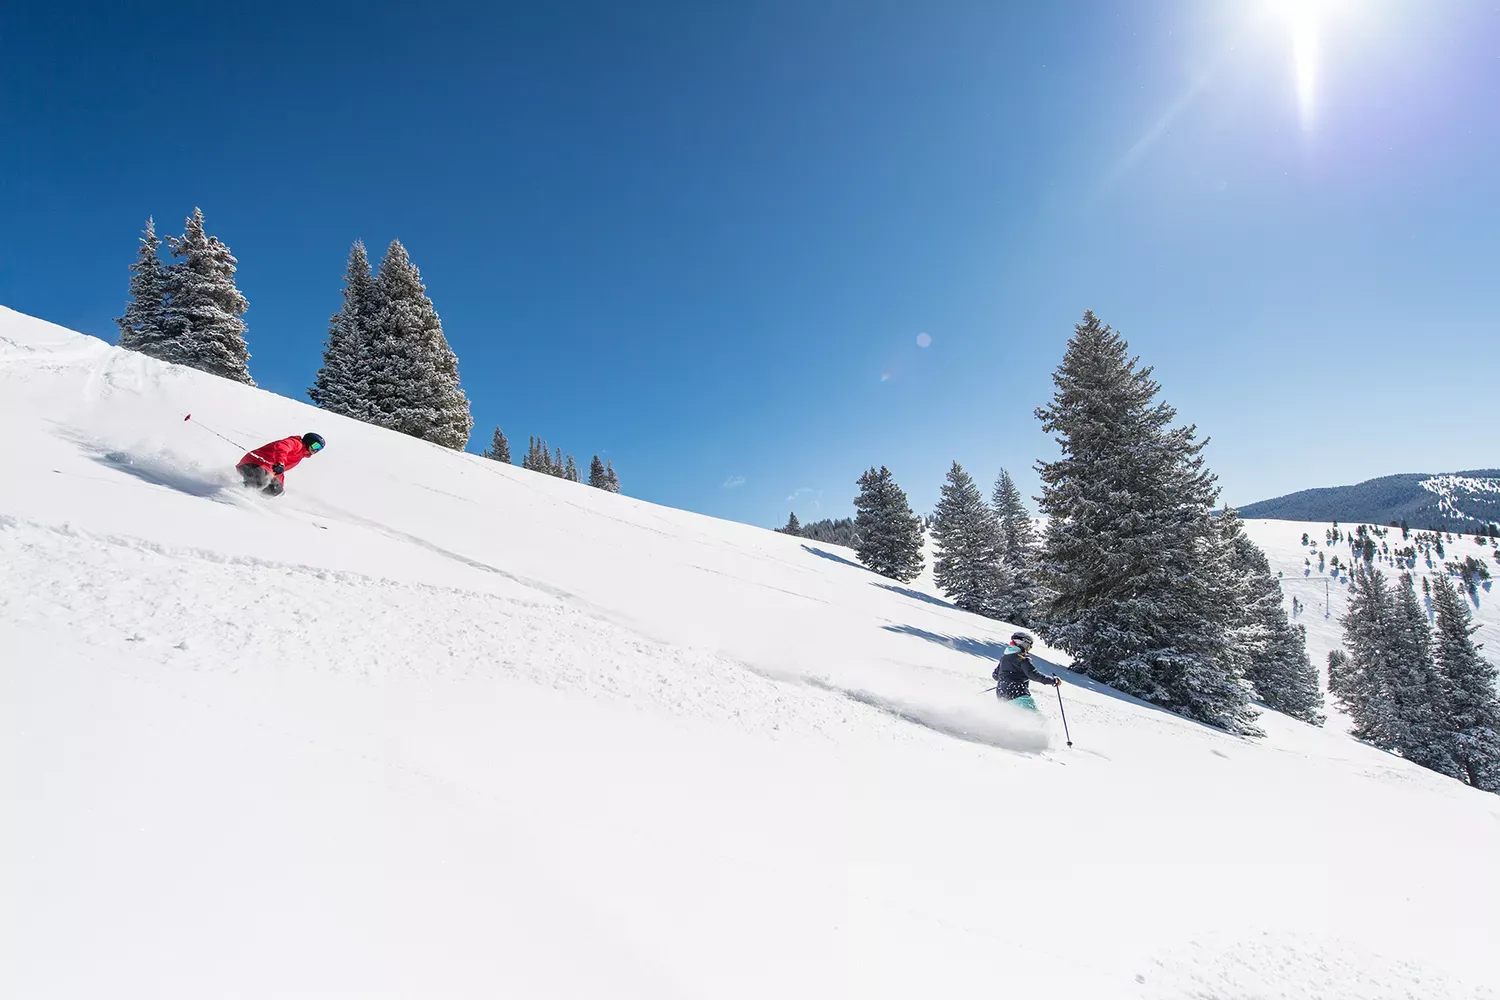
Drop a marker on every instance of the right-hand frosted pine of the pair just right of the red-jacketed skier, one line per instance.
(415, 376)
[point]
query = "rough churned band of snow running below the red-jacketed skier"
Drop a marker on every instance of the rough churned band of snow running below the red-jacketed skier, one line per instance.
(211, 611)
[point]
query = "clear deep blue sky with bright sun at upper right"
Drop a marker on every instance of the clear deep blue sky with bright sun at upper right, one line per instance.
(704, 239)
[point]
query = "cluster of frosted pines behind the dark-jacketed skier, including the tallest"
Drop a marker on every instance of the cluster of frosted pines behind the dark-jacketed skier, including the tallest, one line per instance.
(1136, 573)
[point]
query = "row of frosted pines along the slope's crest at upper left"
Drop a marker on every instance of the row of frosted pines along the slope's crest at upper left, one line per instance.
(386, 361)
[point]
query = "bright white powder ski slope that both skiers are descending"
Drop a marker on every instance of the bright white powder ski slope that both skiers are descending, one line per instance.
(430, 726)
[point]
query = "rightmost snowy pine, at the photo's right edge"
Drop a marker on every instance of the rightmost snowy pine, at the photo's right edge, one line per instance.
(1475, 711)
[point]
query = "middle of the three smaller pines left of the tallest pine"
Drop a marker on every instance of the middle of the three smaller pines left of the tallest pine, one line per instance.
(968, 539)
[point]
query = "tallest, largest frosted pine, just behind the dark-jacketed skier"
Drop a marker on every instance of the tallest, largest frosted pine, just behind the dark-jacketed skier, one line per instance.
(1132, 557)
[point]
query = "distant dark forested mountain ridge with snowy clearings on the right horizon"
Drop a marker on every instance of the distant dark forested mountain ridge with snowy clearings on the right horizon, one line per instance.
(1453, 501)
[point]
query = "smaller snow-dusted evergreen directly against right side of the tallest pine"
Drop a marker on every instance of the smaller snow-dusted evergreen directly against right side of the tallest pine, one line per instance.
(1271, 651)
